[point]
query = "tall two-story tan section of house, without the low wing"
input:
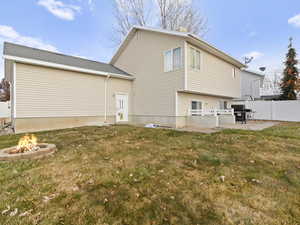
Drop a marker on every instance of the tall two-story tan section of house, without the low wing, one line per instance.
(175, 73)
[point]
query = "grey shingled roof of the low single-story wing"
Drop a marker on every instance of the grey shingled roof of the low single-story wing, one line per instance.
(19, 52)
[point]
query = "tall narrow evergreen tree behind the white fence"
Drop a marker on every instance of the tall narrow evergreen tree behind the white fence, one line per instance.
(290, 75)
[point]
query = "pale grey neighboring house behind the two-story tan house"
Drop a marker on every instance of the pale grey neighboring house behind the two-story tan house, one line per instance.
(251, 84)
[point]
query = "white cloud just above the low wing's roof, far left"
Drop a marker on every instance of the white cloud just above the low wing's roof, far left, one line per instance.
(8, 33)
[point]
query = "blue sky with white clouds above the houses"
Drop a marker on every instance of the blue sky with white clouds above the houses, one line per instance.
(85, 28)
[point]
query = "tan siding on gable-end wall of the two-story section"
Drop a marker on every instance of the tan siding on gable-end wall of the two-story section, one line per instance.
(154, 90)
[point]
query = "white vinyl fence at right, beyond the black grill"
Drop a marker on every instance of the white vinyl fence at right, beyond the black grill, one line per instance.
(275, 110)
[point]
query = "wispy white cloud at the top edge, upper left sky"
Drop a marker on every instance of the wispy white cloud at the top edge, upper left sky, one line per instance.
(60, 9)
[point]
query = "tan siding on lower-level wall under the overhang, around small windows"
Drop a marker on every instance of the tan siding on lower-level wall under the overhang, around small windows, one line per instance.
(208, 102)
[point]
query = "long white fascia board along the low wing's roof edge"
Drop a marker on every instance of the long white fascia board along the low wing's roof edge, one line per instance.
(64, 67)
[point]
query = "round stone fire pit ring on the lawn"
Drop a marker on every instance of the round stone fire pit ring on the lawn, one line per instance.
(44, 150)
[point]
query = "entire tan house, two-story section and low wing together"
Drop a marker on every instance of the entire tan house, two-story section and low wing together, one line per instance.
(156, 76)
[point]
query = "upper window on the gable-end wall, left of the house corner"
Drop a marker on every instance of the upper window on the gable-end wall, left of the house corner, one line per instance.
(173, 59)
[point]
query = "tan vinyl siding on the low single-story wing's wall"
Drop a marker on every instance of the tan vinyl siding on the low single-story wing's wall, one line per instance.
(48, 92)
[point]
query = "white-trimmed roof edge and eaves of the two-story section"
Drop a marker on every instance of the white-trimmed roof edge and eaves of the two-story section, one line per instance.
(187, 36)
